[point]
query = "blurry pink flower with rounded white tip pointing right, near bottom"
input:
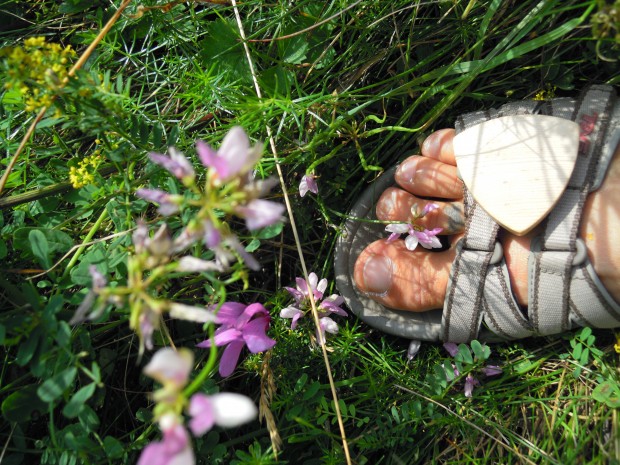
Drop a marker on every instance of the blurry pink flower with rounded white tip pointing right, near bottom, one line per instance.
(225, 409)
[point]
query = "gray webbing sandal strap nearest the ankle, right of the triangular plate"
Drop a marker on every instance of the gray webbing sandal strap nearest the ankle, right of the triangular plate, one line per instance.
(561, 291)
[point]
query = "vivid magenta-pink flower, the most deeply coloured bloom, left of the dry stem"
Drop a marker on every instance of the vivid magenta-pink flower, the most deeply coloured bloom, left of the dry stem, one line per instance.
(241, 325)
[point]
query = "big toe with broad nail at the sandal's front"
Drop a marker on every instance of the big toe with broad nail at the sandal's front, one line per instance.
(401, 279)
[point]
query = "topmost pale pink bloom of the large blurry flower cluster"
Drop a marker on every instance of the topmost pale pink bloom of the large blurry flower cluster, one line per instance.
(234, 158)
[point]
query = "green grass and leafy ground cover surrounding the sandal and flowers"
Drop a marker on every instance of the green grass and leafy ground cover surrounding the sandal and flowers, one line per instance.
(347, 90)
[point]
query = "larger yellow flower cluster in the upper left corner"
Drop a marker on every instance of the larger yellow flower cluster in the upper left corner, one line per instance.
(36, 70)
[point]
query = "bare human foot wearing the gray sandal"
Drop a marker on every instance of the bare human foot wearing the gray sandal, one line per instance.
(417, 281)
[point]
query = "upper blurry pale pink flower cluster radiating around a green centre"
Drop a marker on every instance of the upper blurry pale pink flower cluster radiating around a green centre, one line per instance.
(229, 166)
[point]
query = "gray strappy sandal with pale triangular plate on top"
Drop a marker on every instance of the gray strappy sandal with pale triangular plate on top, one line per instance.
(564, 291)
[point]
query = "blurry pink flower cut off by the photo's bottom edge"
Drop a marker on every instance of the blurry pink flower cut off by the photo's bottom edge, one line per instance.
(174, 449)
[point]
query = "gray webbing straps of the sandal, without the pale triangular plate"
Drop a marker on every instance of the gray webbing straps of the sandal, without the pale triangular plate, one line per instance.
(563, 292)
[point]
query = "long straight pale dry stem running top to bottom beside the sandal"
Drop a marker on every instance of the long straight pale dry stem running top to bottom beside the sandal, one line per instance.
(289, 209)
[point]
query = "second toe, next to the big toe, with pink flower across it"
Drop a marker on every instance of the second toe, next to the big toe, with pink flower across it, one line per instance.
(395, 205)
